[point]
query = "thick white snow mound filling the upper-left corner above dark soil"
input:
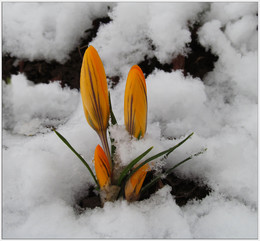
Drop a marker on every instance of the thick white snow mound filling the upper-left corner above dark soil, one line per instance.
(47, 32)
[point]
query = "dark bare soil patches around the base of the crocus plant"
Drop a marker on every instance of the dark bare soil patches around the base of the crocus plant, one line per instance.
(183, 190)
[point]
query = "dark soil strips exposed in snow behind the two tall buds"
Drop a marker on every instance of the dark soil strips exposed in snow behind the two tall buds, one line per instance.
(197, 63)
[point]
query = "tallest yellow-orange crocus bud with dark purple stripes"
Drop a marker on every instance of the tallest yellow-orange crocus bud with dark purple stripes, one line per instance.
(94, 92)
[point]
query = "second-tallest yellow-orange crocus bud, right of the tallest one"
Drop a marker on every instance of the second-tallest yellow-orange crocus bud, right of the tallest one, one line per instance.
(135, 103)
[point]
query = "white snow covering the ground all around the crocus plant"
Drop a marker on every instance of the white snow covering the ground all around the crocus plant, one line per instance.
(42, 178)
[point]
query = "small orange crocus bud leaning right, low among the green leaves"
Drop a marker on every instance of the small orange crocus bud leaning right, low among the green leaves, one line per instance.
(134, 184)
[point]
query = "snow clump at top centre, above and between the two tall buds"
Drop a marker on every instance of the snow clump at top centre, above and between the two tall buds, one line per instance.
(146, 27)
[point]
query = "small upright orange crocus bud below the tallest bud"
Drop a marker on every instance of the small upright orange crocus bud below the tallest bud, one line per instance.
(102, 166)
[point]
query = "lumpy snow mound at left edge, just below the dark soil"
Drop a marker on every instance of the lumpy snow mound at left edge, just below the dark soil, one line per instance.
(57, 105)
